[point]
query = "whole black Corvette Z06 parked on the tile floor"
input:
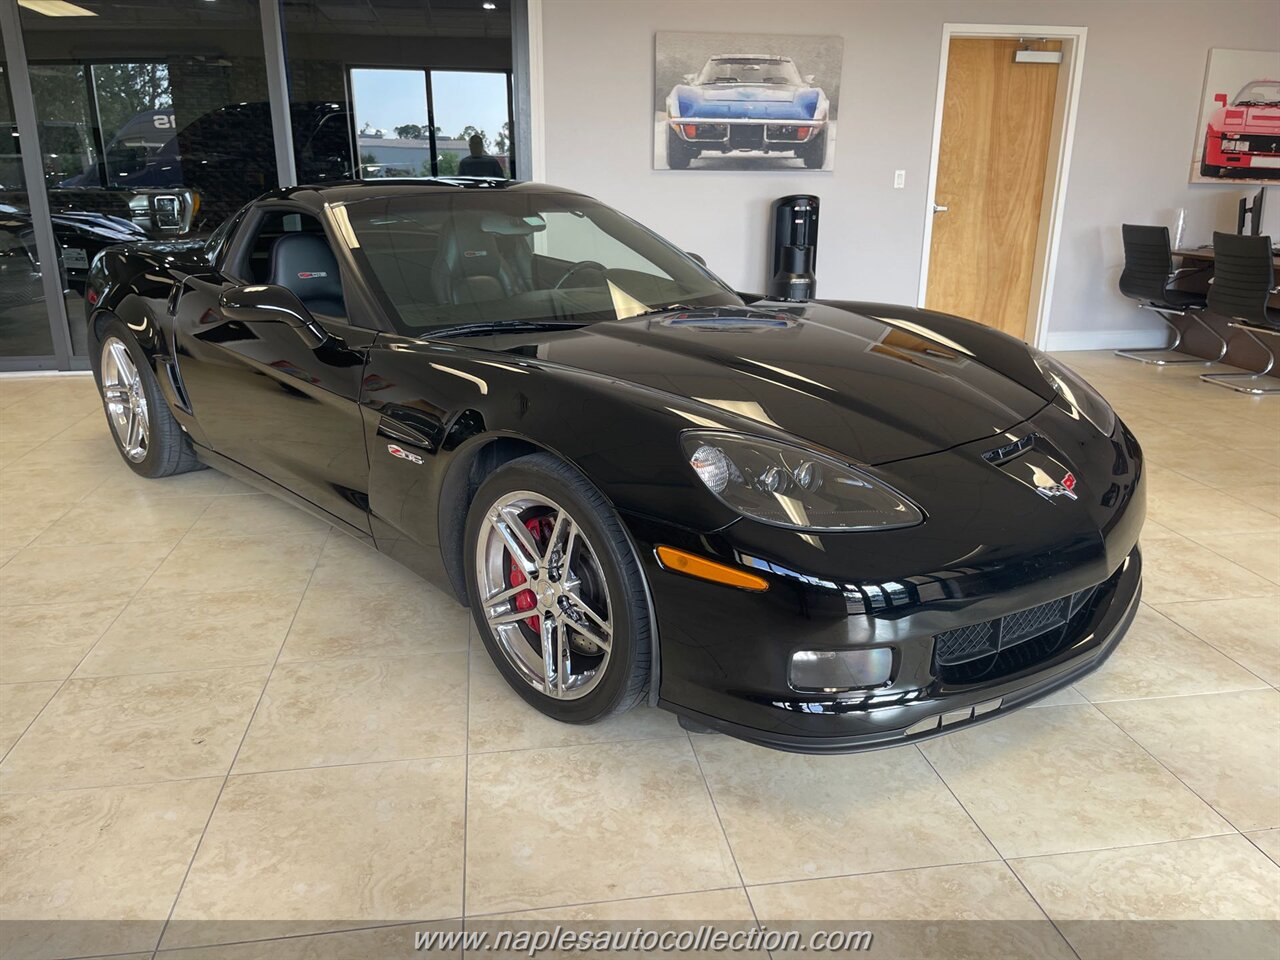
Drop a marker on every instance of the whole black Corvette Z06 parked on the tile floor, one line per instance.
(820, 527)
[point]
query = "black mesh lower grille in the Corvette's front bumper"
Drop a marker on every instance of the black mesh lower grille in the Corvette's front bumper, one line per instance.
(1007, 644)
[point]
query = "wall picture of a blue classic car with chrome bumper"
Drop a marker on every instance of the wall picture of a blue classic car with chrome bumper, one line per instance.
(742, 102)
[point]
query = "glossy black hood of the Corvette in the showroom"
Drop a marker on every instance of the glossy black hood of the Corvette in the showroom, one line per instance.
(872, 390)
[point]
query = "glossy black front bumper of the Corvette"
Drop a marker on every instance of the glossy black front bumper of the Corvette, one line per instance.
(999, 554)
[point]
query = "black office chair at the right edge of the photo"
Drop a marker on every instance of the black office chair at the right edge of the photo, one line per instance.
(1241, 291)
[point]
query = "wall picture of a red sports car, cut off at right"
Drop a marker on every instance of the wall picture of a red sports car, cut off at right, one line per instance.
(1238, 134)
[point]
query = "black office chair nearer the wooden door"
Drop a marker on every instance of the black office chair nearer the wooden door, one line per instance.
(1148, 278)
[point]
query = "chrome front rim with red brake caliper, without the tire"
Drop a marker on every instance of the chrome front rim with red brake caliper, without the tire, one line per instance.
(545, 596)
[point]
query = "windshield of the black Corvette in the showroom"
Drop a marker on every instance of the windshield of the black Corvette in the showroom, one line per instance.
(492, 258)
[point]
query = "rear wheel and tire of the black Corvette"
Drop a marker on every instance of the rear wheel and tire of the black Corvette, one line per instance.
(147, 436)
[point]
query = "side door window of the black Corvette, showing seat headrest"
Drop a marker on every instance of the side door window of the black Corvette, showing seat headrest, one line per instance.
(290, 249)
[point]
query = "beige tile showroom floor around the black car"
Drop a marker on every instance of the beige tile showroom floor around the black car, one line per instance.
(223, 723)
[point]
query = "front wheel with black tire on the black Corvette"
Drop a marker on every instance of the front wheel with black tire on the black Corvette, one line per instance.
(556, 591)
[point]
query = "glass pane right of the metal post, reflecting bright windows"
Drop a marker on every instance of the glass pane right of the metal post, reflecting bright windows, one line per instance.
(412, 81)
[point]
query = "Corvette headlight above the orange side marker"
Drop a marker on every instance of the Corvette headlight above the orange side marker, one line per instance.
(792, 487)
